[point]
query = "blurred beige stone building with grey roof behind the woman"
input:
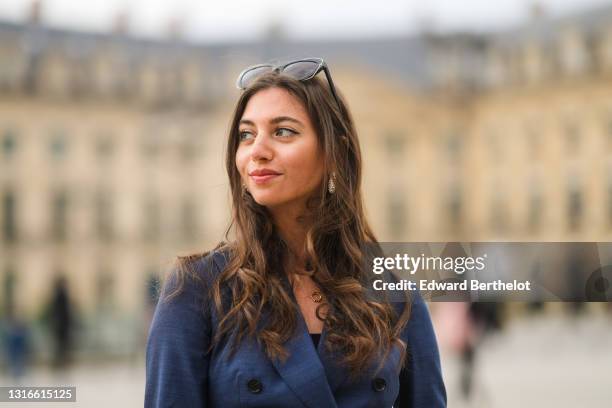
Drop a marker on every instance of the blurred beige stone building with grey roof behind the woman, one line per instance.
(112, 147)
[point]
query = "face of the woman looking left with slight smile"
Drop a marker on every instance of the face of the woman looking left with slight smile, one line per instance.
(278, 155)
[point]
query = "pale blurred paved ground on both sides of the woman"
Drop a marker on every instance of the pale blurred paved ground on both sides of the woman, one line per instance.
(537, 362)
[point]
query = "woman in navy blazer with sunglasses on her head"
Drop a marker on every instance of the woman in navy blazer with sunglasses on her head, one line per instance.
(280, 316)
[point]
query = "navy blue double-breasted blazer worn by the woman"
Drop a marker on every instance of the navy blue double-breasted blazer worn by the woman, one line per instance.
(179, 372)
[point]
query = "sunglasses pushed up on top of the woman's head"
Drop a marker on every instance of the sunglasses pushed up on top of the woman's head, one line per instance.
(302, 70)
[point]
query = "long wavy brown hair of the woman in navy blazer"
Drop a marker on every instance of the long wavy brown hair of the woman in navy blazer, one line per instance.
(357, 327)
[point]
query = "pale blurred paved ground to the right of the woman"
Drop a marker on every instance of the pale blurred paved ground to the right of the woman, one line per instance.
(541, 362)
